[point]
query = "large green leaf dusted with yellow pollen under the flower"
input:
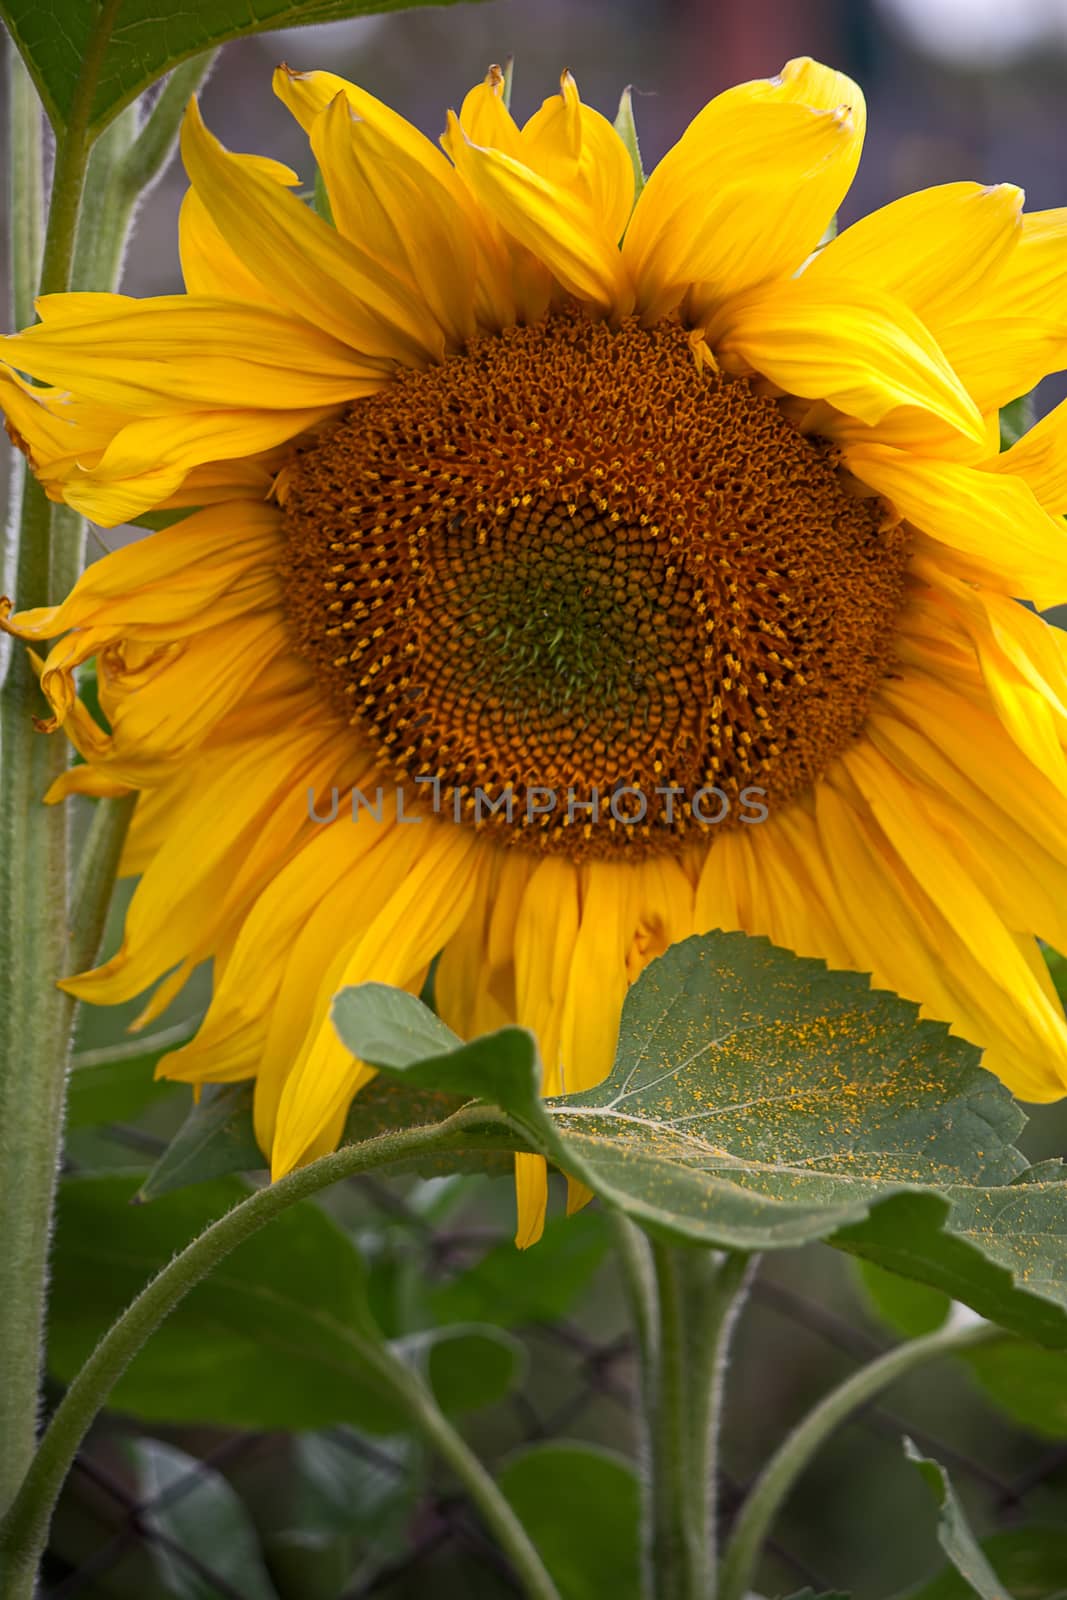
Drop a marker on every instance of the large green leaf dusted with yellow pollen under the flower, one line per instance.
(761, 1102)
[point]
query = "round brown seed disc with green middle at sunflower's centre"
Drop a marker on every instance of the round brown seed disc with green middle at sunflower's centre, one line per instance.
(573, 564)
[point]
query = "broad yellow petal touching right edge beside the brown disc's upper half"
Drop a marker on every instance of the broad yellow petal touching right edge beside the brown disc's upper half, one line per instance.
(991, 522)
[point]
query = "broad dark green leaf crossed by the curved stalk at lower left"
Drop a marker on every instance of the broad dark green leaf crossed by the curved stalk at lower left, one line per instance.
(276, 1337)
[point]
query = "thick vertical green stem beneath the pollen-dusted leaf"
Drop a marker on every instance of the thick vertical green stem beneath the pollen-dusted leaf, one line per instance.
(685, 1305)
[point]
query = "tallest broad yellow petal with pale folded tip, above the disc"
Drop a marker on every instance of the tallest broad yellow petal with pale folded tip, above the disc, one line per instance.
(749, 190)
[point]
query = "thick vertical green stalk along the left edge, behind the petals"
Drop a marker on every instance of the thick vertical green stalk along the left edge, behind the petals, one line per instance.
(33, 903)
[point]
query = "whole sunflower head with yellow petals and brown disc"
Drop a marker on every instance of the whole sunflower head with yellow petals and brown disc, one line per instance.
(559, 570)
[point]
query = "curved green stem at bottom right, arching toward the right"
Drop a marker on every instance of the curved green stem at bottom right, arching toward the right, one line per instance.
(781, 1473)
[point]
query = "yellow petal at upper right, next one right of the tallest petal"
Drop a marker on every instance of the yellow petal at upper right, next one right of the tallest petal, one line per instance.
(935, 249)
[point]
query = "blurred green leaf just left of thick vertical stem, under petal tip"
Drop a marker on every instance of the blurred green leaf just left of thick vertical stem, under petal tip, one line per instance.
(510, 1287)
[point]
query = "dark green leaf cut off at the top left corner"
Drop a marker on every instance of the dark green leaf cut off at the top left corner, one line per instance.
(135, 42)
